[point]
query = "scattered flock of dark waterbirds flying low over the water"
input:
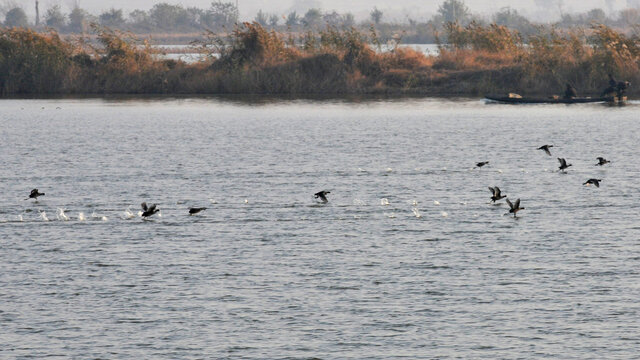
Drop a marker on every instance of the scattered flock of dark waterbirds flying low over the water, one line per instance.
(496, 193)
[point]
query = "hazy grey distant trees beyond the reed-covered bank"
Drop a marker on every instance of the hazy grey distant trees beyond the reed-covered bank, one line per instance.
(221, 16)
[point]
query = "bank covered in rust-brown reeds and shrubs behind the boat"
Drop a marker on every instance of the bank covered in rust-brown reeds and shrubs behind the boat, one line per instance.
(334, 61)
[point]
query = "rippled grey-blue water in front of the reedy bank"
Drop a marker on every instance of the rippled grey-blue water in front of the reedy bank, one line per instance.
(266, 273)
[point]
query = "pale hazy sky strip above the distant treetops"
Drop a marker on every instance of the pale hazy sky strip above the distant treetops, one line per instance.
(395, 10)
